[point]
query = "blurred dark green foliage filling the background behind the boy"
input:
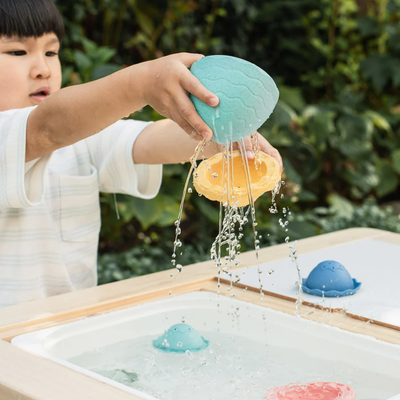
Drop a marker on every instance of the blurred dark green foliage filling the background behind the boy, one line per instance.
(337, 123)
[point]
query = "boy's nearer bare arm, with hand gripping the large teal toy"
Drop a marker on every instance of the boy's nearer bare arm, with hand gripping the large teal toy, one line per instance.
(77, 112)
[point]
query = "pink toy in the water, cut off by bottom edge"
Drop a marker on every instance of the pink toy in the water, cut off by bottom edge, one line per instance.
(312, 391)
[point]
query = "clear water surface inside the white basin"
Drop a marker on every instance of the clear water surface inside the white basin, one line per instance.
(233, 367)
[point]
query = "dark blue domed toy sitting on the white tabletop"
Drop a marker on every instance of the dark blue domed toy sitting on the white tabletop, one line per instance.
(330, 279)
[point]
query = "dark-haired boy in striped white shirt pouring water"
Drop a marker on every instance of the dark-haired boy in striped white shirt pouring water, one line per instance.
(58, 148)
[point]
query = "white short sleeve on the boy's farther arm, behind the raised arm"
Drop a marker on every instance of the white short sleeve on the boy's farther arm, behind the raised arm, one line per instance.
(111, 153)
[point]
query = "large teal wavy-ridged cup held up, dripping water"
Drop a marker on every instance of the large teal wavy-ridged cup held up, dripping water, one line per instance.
(247, 96)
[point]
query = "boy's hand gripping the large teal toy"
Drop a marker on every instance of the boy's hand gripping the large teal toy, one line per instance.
(166, 85)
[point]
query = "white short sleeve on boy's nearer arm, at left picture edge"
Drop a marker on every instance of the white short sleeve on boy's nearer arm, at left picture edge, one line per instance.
(21, 184)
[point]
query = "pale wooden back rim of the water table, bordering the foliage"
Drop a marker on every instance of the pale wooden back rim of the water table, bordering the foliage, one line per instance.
(62, 308)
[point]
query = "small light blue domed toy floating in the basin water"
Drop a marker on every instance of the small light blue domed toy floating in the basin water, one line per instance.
(180, 338)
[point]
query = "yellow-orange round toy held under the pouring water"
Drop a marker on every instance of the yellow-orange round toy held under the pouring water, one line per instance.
(211, 183)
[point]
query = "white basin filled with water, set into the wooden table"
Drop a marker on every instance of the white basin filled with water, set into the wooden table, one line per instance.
(252, 349)
